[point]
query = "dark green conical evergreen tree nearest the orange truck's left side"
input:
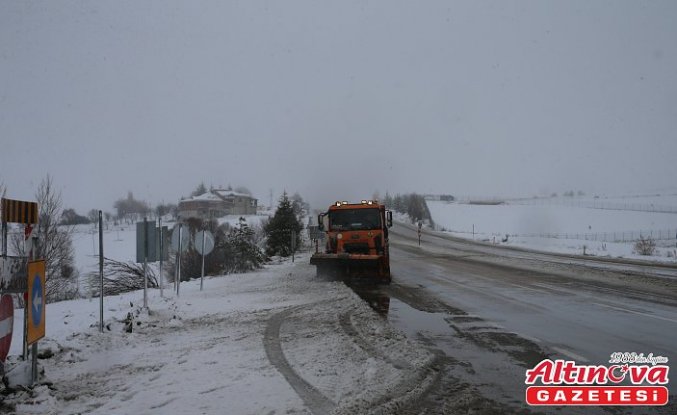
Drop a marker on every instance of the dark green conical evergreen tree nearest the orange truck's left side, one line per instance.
(279, 228)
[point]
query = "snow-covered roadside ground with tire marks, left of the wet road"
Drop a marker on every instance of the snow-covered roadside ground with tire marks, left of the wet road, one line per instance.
(205, 351)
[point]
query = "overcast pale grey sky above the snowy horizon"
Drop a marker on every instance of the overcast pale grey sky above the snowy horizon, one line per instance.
(338, 99)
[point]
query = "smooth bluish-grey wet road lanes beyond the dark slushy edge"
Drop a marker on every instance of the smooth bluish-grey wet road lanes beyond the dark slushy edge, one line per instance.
(584, 316)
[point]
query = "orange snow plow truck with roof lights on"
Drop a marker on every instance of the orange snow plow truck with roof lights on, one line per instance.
(356, 241)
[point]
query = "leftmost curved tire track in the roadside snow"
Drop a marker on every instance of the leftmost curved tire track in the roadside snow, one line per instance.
(314, 400)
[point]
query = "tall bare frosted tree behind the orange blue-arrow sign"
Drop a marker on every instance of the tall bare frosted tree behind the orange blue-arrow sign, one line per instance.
(55, 244)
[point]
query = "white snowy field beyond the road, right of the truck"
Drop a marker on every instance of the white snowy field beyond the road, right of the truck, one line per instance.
(567, 225)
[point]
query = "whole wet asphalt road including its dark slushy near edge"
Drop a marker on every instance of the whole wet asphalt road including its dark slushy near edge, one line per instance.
(495, 312)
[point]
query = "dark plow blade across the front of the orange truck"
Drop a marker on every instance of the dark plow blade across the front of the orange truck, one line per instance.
(351, 265)
